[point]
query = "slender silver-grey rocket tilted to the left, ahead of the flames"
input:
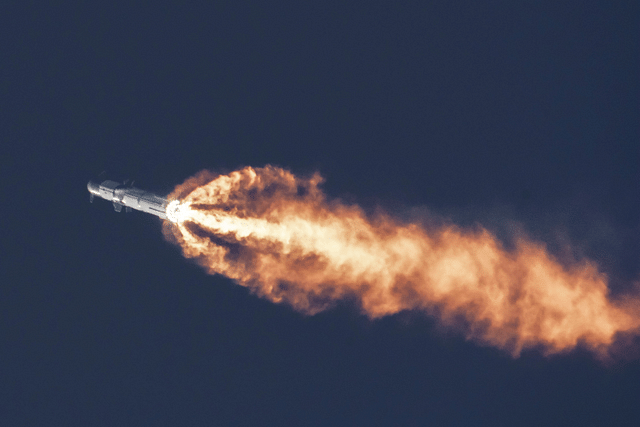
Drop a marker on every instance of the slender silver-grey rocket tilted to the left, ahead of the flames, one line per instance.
(129, 197)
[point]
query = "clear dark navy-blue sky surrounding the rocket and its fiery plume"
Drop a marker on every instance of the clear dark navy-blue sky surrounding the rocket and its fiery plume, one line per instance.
(490, 112)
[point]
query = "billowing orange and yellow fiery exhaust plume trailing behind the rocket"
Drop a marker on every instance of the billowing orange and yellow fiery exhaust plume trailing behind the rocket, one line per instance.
(278, 235)
